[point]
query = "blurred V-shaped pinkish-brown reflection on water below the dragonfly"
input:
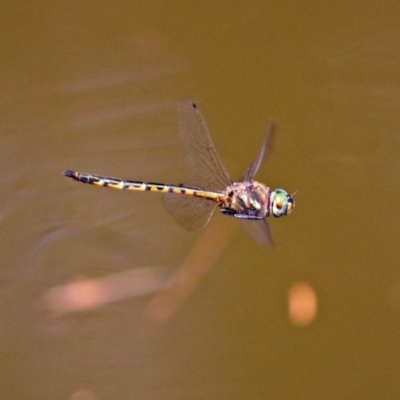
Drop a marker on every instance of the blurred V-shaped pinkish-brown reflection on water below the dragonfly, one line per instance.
(85, 294)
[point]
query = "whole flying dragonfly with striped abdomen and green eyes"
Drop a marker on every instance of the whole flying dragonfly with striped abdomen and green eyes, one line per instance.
(210, 185)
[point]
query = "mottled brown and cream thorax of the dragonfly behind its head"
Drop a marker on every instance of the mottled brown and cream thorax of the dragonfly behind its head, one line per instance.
(247, 200)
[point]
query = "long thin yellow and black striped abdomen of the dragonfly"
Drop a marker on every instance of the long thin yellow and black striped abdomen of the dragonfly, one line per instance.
(141, 186)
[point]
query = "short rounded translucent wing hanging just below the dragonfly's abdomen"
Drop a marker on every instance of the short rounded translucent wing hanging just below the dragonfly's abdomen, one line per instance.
(191, 213)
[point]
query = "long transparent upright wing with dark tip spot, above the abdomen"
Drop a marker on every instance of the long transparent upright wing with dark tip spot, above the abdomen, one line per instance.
(203, 165)
